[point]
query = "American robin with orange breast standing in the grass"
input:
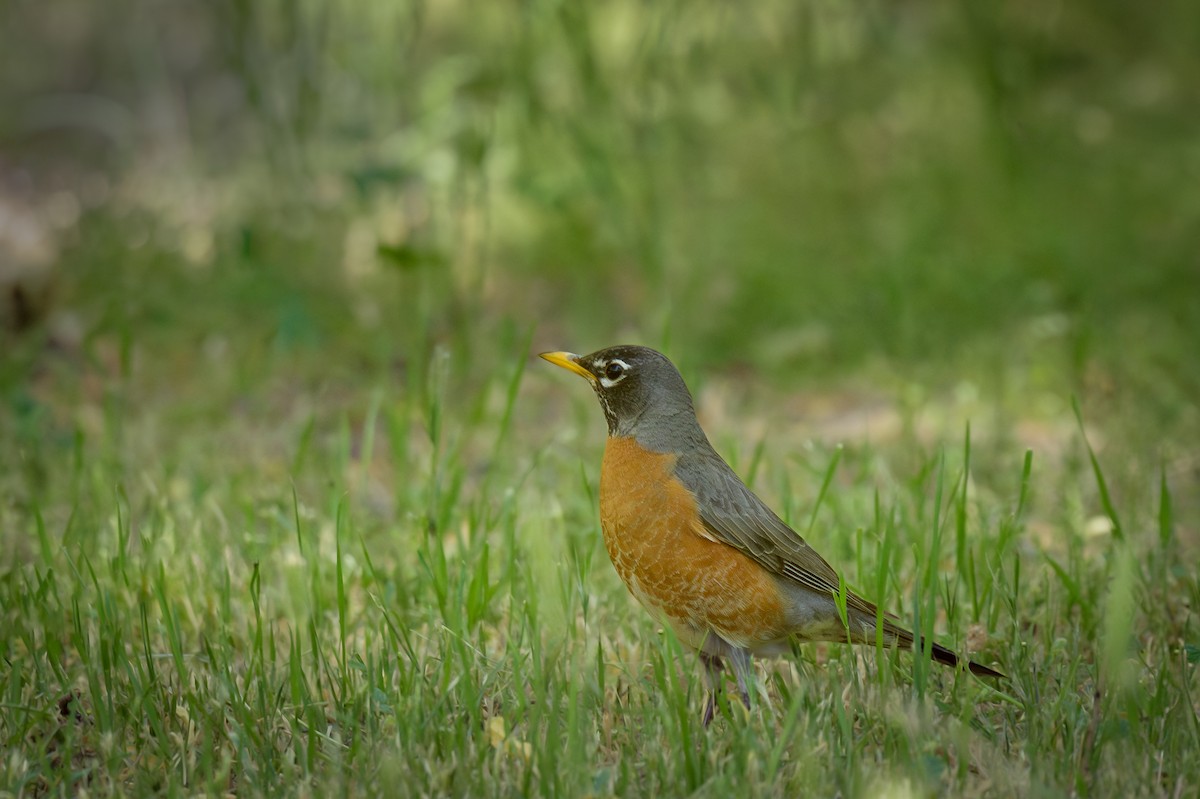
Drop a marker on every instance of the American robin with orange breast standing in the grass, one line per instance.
(695, 545)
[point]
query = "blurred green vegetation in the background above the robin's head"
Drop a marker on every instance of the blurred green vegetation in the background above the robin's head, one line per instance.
(878, 195)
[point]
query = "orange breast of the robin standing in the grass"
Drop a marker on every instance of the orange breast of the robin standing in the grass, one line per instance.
(653, 536)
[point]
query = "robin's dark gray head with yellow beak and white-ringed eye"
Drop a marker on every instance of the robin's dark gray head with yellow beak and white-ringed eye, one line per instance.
(641, 393)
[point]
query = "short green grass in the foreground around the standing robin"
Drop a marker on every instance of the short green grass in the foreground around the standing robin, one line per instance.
(410, 596)
